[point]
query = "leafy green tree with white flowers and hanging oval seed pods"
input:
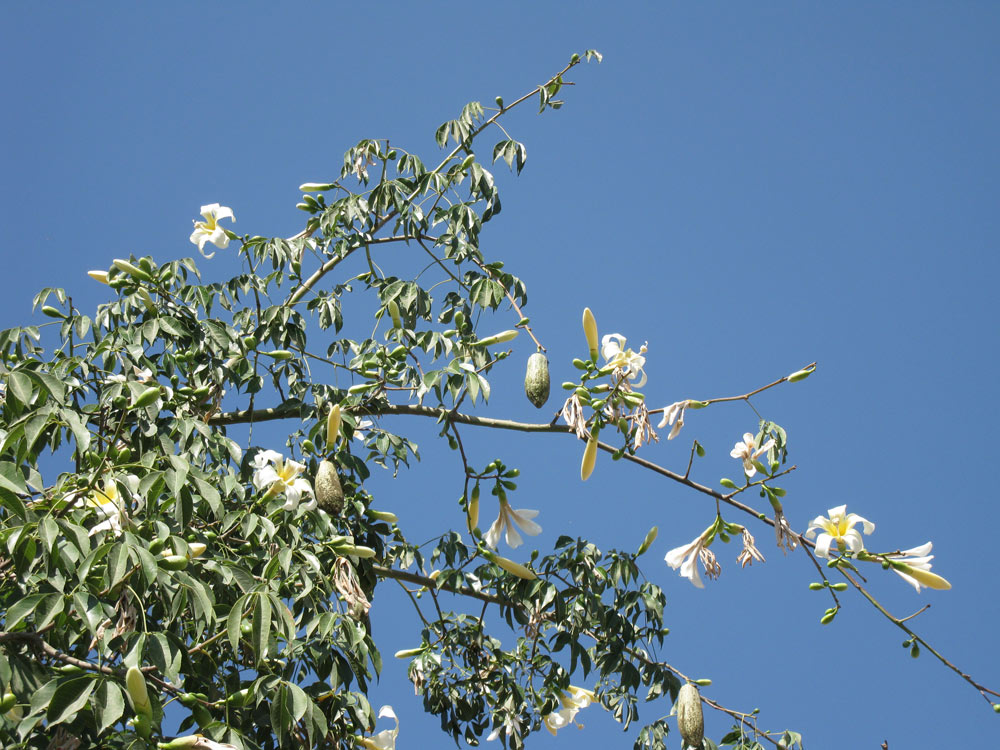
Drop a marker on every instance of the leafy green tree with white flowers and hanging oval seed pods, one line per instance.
(161, 562)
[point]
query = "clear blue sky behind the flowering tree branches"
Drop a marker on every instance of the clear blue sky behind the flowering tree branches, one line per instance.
(749, 187)
